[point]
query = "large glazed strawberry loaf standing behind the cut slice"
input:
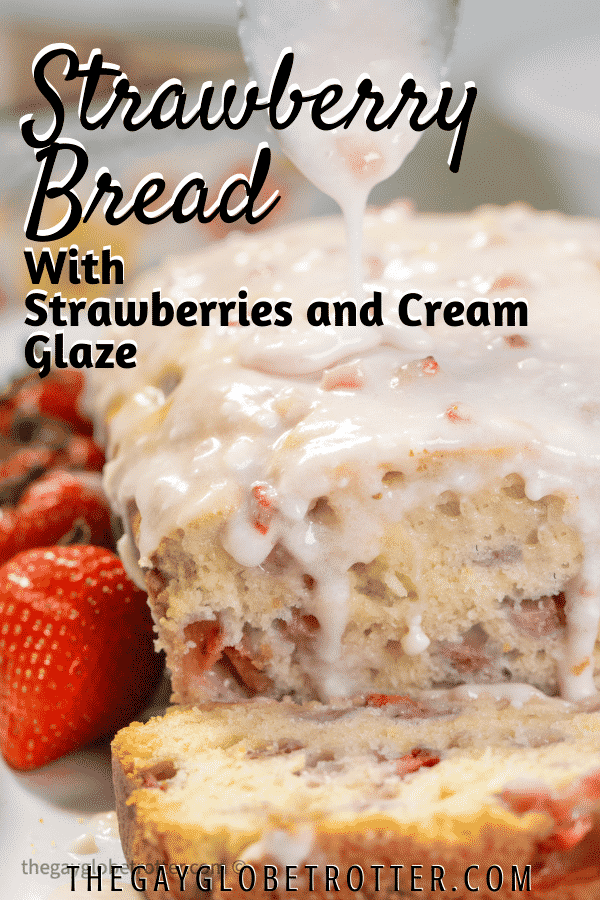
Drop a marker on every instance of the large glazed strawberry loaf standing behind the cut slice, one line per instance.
(323, 511)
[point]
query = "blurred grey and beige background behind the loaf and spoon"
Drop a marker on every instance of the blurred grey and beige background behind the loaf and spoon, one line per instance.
(534, 135)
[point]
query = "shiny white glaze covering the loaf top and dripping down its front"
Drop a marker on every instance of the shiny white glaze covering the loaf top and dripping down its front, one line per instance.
(253, 406)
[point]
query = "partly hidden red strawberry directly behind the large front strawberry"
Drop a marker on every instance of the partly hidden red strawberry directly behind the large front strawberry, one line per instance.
(62, 507)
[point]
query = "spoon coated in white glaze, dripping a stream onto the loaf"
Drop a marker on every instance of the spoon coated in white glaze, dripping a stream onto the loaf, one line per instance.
(385, 39)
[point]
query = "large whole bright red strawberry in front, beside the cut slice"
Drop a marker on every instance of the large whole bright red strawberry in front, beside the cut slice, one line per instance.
(76, 653)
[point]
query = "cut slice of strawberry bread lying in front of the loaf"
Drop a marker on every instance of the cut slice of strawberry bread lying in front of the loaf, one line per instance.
(428, 783)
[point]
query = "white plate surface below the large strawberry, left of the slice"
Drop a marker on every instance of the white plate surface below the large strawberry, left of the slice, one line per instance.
(63, 815)
